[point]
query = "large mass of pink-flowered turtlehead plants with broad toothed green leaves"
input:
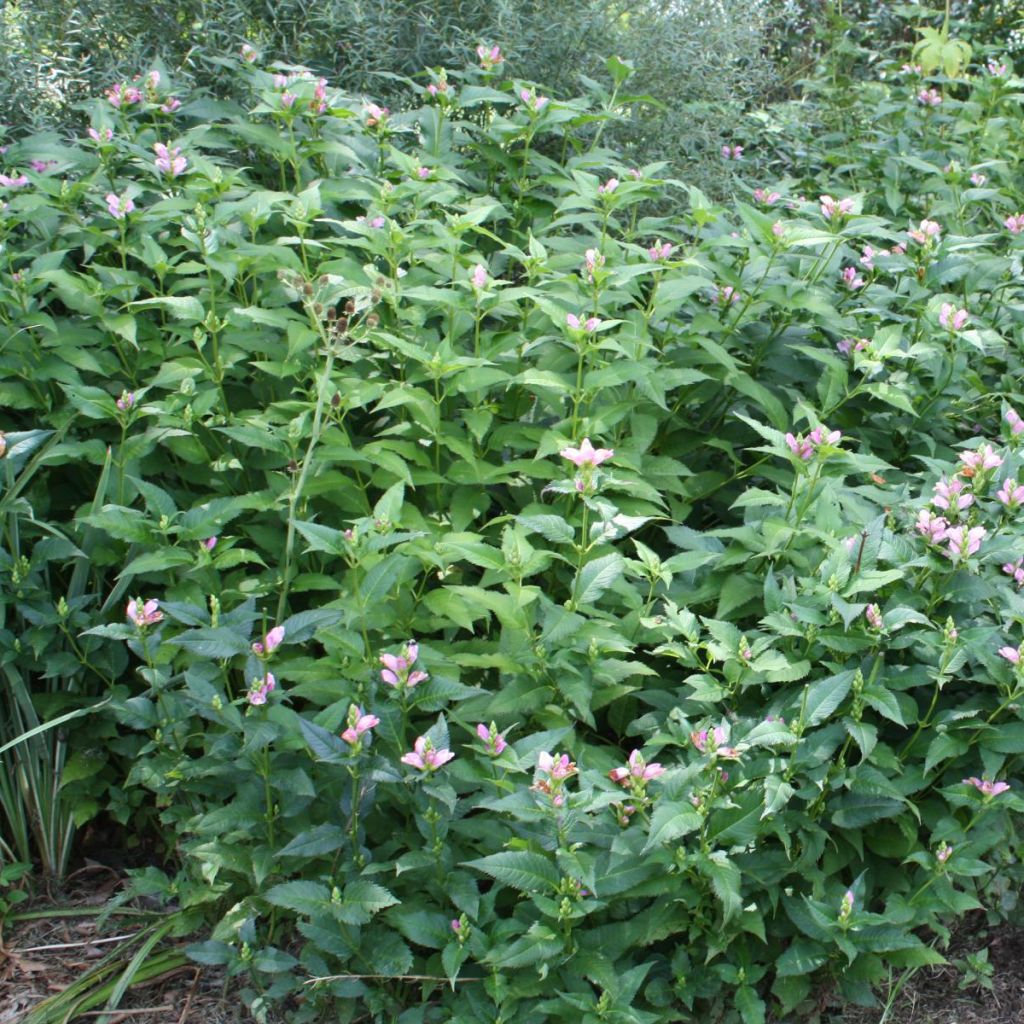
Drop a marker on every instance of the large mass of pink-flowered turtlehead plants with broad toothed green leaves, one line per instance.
(520, 607)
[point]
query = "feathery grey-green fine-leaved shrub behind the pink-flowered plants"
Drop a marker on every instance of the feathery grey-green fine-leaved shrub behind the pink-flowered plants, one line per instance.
(700, 62)
